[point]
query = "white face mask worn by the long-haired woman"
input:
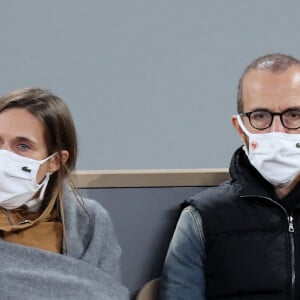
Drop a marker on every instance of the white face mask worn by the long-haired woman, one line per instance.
(18, 179)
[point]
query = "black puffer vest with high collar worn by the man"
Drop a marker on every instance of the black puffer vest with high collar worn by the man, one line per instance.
(248, 237)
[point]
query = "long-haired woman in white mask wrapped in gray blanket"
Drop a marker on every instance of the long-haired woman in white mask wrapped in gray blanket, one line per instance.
(54, 245)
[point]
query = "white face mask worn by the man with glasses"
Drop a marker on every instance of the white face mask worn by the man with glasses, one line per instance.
(275, 155)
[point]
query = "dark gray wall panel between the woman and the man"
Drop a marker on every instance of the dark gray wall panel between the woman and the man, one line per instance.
(144, 220)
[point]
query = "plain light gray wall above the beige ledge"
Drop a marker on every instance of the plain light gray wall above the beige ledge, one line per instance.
(151, 84)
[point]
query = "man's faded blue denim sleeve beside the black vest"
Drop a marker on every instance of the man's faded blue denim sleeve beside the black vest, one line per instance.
(183, 275)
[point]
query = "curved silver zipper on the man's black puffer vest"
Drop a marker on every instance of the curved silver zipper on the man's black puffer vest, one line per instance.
(291, 230)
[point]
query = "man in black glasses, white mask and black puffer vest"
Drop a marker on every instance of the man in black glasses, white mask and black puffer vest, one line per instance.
(241, 240)
